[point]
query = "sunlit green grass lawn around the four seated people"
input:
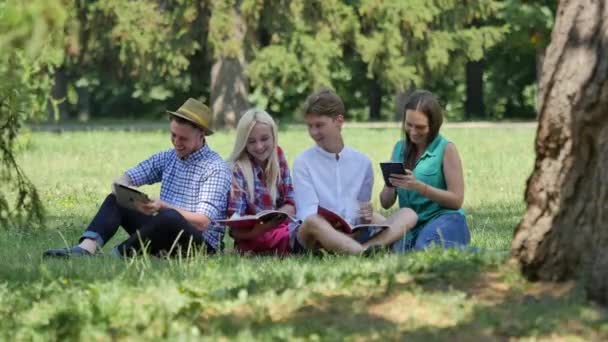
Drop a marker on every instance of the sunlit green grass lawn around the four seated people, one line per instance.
(434, 295)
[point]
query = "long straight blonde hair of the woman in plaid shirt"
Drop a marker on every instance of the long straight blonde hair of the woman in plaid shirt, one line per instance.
(239, 157)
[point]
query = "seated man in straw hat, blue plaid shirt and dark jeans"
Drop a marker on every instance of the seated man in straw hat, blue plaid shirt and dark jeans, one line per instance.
(195, 182)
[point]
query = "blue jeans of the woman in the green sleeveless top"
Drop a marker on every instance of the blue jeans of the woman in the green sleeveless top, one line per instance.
(447, 230)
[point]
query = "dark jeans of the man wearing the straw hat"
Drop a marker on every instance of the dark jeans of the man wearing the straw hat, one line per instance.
(158, 232)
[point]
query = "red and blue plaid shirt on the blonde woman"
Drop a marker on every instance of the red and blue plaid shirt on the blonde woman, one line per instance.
(241, 204)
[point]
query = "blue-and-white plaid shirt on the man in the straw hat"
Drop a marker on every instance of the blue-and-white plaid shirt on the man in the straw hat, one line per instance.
(200, 184)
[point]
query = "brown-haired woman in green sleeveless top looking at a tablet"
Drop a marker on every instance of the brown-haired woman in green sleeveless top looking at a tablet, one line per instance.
(433, 183)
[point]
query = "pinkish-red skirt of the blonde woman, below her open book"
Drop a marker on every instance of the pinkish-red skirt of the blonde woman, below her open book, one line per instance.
(274, 241)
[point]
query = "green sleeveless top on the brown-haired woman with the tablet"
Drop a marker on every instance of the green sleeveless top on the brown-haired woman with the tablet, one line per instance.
(429, 170)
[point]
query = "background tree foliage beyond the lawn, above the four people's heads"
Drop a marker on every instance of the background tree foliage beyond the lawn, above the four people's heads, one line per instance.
(137, 58)
